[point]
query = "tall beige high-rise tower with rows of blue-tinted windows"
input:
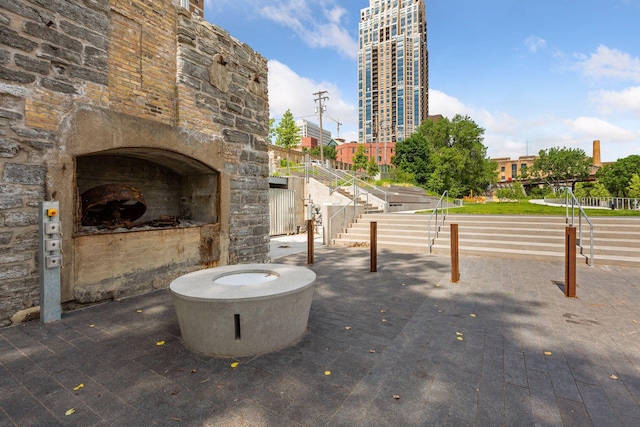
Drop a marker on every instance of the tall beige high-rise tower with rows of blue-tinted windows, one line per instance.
(393, 70)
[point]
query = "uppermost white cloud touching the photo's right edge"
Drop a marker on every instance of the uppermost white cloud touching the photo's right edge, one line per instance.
(610, 63)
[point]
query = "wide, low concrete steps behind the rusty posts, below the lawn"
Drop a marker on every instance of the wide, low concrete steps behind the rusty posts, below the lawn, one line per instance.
(616, 239)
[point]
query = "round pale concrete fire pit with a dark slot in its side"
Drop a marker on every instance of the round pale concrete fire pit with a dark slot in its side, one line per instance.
(243, 310)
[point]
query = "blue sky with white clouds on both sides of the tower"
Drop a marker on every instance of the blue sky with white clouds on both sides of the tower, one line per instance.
(534, 74)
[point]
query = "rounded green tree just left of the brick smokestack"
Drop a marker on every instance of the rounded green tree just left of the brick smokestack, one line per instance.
(557, 166)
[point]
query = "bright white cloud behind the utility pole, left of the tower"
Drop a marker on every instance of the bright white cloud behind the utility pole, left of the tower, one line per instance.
(288, 90)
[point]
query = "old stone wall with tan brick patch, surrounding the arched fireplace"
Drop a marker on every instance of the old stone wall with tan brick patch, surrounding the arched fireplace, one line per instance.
(139, 78)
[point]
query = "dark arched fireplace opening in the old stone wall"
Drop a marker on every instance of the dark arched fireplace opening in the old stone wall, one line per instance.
(135, 188)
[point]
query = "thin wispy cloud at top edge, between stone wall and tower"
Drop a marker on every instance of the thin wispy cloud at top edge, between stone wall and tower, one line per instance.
(318, 23)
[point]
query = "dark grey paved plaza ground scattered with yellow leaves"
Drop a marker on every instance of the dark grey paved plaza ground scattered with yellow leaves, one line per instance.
(400, 347)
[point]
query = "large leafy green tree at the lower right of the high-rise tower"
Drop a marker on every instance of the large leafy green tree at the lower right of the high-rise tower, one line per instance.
(447, 155)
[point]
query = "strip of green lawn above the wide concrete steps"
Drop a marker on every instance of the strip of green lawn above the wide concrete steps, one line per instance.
(526, 208)
